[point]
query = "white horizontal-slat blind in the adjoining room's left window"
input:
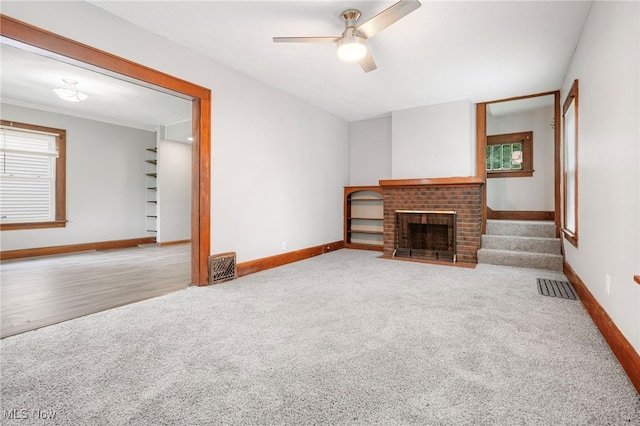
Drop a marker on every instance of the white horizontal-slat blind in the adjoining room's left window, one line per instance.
(27, 176)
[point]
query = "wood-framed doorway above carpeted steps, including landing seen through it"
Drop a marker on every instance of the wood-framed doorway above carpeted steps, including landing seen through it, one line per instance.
(513, 193)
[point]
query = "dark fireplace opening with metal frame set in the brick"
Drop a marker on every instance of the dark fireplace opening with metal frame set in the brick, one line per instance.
(425, 235)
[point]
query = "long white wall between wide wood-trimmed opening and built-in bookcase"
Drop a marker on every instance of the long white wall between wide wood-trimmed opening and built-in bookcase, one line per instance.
(278, 164)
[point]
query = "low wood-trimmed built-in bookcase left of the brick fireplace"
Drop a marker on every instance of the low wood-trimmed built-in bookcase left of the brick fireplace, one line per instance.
(363, 217)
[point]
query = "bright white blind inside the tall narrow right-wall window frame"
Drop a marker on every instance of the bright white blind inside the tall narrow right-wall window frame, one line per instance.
(570, 168)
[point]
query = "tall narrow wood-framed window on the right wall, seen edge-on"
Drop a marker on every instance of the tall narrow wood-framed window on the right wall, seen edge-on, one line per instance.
(570, 165)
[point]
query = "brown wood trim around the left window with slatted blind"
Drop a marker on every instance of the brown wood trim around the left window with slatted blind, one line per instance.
(61, 178)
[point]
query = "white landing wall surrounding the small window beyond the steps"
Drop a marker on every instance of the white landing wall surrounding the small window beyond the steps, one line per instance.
(535, 193)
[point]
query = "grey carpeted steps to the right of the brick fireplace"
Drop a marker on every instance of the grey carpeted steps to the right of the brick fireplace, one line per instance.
(527, 244)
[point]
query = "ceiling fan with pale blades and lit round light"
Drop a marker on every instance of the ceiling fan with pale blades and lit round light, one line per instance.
(352, 43)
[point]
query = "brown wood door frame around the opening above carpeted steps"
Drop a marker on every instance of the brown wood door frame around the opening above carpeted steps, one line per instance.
(481, 145)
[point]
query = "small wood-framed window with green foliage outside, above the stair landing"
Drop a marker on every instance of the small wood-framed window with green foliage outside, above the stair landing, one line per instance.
(510, 155)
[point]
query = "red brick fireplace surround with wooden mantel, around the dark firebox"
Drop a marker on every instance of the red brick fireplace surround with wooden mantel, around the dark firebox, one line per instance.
(460, 195)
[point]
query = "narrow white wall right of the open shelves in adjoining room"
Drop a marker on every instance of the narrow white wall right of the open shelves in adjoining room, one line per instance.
(174, 191)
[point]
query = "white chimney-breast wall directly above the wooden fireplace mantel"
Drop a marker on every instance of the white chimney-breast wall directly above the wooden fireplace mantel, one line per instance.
(433, 141)
